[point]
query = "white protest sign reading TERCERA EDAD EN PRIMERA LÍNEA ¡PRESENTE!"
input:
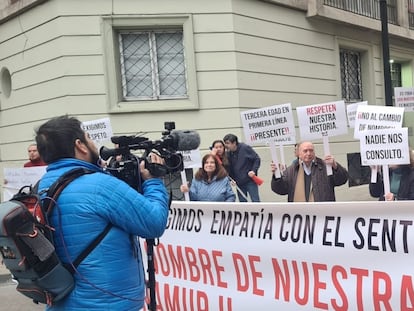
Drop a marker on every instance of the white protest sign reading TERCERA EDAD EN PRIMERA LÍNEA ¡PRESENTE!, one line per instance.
(269, 123)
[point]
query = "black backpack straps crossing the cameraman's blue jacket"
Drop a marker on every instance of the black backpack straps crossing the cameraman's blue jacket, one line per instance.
(52, 195)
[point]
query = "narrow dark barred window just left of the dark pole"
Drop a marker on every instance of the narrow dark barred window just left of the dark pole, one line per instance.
(351, 81)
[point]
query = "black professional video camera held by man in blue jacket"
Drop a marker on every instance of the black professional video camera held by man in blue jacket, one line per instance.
(126, 167)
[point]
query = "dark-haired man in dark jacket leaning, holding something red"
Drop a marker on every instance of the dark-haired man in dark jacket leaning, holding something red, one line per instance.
(244, 163)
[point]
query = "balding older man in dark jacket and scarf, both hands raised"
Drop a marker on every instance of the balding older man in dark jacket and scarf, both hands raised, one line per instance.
(306, 180)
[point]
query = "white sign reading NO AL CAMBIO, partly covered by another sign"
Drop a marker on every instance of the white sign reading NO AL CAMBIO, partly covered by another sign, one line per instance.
(371, 117)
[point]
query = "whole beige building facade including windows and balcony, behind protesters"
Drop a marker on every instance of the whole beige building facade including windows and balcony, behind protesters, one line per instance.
(197, 63)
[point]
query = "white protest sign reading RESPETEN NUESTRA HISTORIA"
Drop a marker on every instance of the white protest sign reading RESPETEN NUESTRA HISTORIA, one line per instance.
(328, 119)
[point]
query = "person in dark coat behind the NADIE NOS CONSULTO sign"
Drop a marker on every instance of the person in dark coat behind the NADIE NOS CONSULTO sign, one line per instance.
(401, 183)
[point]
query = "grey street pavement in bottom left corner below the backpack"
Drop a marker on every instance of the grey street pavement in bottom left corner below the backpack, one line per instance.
(10, 299)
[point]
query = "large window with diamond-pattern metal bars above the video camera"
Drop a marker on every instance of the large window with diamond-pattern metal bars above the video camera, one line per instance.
(152, 64)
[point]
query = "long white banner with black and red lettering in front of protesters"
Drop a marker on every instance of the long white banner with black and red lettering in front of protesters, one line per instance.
(287, 256)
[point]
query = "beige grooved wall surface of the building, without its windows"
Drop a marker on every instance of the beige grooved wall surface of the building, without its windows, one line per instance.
(248, 54)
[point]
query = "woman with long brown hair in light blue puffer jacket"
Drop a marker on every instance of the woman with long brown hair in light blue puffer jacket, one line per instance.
(210, 183)
